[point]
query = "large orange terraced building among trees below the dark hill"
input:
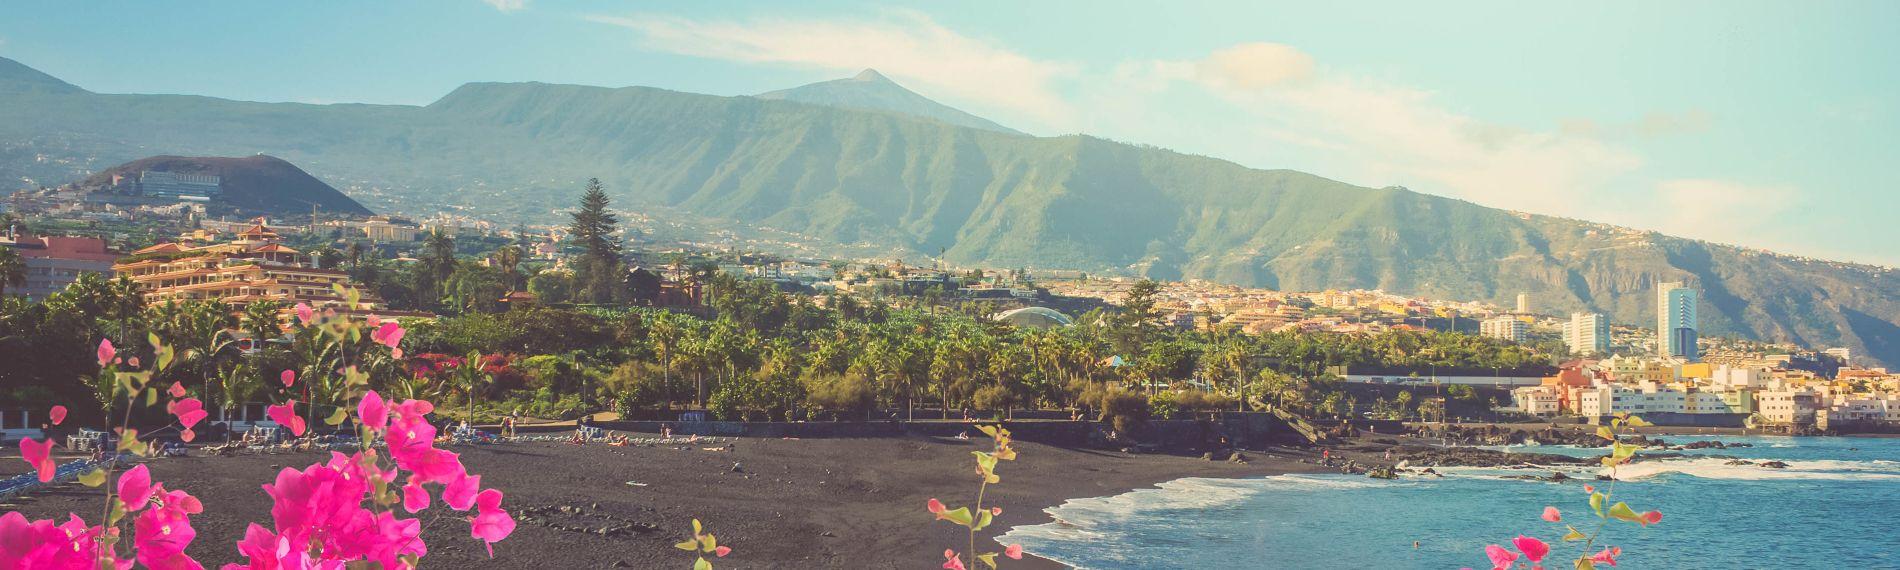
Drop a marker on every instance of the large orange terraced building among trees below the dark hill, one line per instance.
(256, 267)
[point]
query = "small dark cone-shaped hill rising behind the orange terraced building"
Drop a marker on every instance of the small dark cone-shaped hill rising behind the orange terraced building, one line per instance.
(252, 183)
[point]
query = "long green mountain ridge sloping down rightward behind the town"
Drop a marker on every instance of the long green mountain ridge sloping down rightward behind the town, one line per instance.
(987, 199)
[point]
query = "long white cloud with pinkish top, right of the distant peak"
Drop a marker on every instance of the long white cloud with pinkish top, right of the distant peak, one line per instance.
(1405, 136)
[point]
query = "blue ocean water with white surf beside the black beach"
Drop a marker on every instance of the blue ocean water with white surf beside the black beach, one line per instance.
(1836, 506)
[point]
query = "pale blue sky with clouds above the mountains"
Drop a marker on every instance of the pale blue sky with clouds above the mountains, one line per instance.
(1764, 124)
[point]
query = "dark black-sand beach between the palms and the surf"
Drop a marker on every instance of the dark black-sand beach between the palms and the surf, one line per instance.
(793, 503)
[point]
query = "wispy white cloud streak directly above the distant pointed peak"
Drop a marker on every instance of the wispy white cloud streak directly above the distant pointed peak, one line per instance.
(903, 45)
